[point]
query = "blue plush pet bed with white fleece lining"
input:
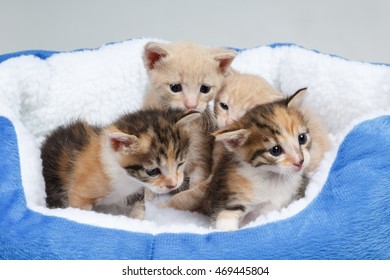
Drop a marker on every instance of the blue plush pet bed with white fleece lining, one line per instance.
(344, 215)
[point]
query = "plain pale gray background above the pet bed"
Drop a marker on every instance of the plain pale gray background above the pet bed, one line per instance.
(357, 30)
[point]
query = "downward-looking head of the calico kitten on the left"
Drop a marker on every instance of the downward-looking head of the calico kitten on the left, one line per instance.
(157, 150)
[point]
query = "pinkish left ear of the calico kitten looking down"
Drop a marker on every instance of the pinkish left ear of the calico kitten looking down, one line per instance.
(122, 142)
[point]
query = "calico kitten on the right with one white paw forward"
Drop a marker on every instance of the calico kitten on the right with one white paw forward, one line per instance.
(261, 163)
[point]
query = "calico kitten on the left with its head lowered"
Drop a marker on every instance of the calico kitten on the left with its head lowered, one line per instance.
(86, 166)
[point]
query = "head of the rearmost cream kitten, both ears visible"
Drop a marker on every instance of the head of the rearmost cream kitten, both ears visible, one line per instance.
(185, 75)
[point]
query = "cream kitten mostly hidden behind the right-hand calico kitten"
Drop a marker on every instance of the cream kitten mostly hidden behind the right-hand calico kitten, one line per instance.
(242, 92)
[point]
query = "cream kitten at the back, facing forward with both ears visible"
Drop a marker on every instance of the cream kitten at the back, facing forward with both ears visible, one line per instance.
(187, 75)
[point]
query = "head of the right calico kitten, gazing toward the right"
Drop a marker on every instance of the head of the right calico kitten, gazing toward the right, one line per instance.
(273, 137)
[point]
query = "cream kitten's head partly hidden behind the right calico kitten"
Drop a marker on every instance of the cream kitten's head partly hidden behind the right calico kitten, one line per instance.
(240, 93)
